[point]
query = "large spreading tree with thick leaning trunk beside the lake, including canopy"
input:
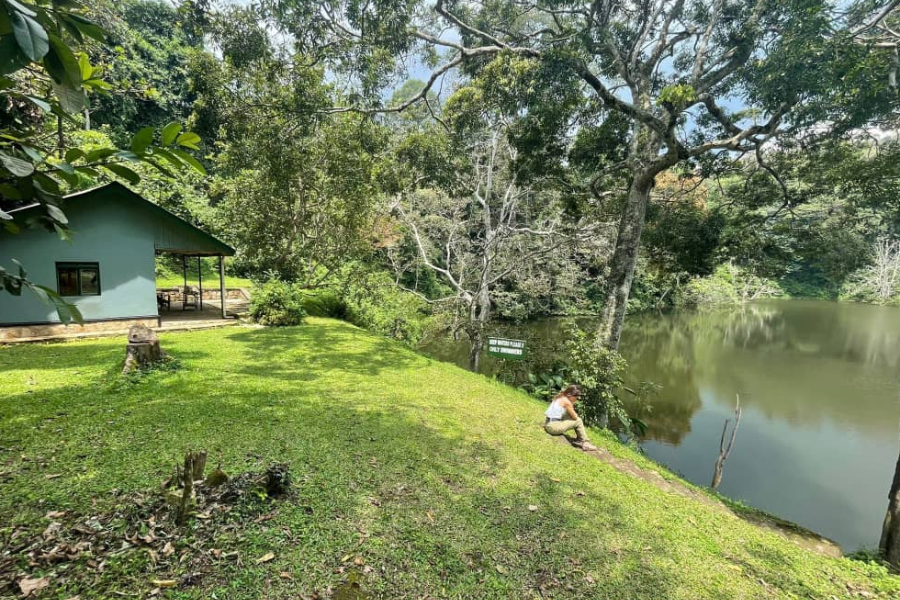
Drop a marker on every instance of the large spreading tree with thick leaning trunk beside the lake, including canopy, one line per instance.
(693, 81)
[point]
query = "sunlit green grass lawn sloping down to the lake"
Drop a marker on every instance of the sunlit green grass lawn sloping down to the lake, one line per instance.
(423, 479)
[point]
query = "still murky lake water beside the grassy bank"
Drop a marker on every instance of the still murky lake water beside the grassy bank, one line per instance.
(820, 387)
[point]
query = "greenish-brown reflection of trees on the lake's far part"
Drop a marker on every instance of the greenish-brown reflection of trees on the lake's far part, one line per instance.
(800, 362)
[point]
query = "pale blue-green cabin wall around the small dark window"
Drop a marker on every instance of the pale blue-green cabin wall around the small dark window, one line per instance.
(117, 235)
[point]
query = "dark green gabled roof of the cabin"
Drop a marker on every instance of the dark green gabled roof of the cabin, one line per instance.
(171, 233)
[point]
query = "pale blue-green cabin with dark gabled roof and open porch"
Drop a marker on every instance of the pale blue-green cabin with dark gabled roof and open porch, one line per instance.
(107, 269)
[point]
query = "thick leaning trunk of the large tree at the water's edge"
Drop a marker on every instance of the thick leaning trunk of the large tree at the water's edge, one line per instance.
(624, 259)
